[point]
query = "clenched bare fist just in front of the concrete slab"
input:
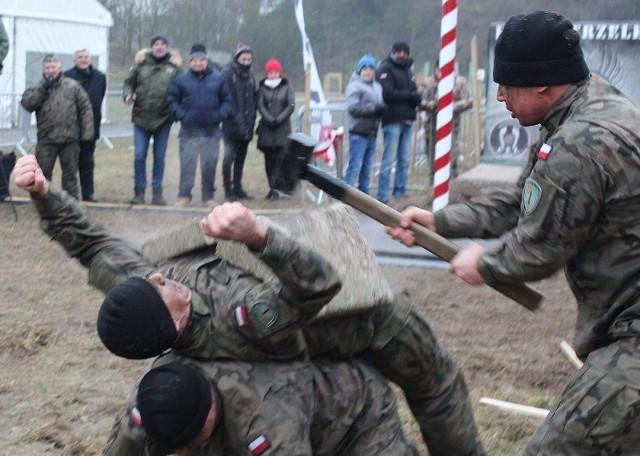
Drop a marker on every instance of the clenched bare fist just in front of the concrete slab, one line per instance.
(235, 222)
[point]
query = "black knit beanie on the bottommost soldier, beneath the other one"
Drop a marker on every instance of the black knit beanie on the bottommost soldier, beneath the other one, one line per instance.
(174, 401)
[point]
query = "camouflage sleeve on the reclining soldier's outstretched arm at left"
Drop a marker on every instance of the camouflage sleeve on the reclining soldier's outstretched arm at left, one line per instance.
(109, 259)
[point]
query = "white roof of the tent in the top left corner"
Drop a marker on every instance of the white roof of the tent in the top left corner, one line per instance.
(82, 11)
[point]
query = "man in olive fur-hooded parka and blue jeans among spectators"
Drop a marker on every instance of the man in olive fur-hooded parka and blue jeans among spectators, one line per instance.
(146, 88)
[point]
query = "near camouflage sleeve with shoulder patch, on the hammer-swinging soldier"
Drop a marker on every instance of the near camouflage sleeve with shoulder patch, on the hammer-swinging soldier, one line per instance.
(560, 202)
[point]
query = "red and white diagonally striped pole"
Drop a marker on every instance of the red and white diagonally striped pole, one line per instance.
(444, 118)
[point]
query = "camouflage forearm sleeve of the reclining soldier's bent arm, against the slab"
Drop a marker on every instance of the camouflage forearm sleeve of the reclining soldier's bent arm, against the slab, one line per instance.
(306, 277)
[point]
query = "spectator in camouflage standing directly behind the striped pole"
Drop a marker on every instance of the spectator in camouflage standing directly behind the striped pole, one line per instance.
(462, 101)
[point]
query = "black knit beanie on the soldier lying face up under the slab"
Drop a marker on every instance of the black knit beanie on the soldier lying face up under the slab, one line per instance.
(134, 322)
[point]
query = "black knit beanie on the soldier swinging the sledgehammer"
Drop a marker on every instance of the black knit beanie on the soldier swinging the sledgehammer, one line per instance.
(538, 49)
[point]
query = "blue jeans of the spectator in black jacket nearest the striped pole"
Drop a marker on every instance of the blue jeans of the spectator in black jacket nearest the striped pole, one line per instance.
(397, 148)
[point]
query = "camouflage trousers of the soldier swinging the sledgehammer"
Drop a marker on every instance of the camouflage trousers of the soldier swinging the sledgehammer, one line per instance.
(599, 411)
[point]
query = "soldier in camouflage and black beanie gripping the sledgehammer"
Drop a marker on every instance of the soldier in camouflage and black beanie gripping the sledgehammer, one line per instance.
(575, 208)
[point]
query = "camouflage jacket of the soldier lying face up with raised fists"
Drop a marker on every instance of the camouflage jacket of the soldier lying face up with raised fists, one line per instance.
(234, 314)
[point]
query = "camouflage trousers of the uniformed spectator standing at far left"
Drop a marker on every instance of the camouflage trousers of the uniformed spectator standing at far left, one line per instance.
(47, 154)
